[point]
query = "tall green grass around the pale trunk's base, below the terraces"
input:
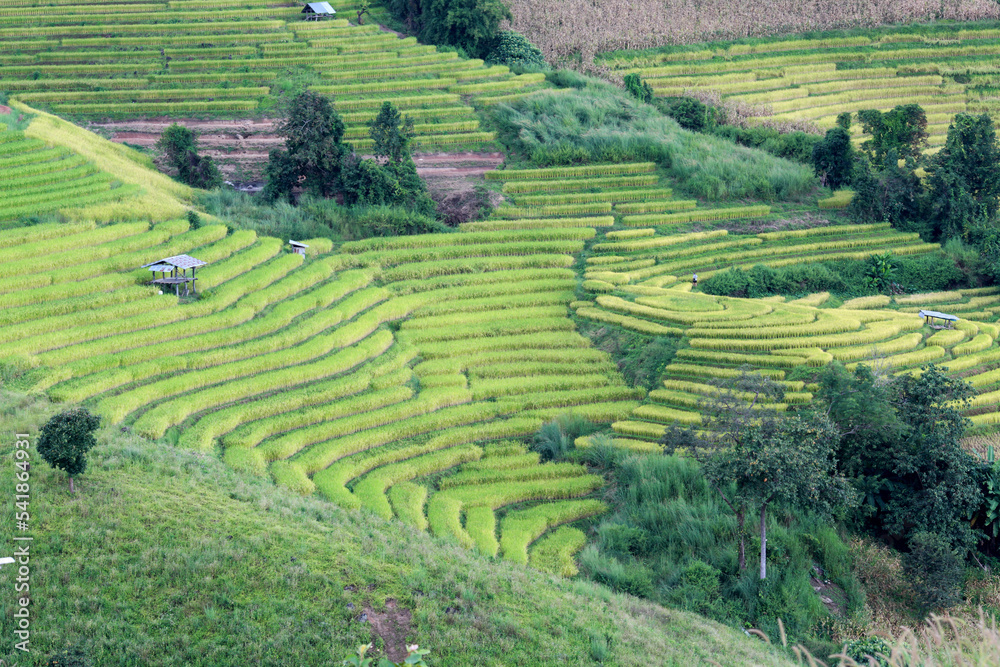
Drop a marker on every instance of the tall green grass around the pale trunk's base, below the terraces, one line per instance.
(672, 540)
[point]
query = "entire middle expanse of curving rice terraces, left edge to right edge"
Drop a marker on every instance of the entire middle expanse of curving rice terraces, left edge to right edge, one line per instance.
(403, 375)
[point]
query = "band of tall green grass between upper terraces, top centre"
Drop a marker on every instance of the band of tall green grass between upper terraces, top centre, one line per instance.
(600, 123)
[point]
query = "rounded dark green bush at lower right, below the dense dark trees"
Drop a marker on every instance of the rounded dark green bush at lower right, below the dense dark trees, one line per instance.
(935, 571)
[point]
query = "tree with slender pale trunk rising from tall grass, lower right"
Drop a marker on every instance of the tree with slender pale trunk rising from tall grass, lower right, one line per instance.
(755, 457)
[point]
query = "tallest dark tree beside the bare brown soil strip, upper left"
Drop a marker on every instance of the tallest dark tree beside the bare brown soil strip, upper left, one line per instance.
(313, 150)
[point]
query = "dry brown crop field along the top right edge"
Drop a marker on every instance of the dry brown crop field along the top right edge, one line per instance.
(572, 29)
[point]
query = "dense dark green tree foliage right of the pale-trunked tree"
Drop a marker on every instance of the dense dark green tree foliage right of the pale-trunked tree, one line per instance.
(901, 447)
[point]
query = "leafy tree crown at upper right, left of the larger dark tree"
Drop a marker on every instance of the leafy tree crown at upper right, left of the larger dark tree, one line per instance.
(899, 133)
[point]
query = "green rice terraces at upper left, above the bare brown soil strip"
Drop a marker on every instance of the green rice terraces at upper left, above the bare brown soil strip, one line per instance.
(184, 57)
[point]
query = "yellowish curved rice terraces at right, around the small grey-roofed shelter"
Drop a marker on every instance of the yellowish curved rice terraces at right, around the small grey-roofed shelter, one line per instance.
(641, 281)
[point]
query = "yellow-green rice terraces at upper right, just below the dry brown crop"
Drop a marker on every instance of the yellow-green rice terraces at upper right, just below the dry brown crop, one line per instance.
(946, 70)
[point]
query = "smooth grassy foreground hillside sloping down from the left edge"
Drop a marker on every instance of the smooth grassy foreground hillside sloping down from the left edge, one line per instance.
(170, 558)
